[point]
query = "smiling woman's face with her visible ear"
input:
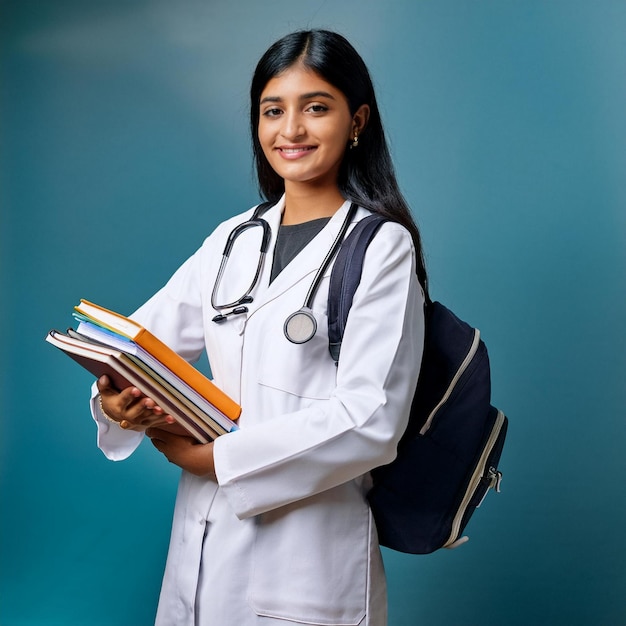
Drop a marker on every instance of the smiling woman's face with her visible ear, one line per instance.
(305, 126)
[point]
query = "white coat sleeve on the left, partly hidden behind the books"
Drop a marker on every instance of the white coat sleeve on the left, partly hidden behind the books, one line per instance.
(174, 314)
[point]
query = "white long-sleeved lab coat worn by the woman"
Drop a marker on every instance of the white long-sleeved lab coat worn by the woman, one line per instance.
(287, 536)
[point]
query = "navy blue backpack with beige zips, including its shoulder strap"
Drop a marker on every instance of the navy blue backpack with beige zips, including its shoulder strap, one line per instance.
(448, 457)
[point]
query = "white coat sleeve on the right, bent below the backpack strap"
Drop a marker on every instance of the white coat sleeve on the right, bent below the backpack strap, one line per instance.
(333, 441)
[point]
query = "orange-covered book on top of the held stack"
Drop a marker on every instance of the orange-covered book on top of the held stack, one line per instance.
(164, 354)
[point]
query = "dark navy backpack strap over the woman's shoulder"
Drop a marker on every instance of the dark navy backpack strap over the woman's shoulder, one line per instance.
(345, 278)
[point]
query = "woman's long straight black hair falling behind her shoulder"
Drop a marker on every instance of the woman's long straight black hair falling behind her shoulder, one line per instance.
(366, 175)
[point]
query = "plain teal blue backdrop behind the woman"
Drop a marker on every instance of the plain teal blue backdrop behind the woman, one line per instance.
(124, 142)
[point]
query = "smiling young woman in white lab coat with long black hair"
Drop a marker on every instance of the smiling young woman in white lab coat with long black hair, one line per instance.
(271, 524)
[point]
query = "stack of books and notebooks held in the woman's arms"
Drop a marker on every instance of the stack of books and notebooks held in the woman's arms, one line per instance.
(105, 342)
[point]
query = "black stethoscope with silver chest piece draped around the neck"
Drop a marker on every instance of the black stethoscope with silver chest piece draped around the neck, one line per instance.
(301, 325)
